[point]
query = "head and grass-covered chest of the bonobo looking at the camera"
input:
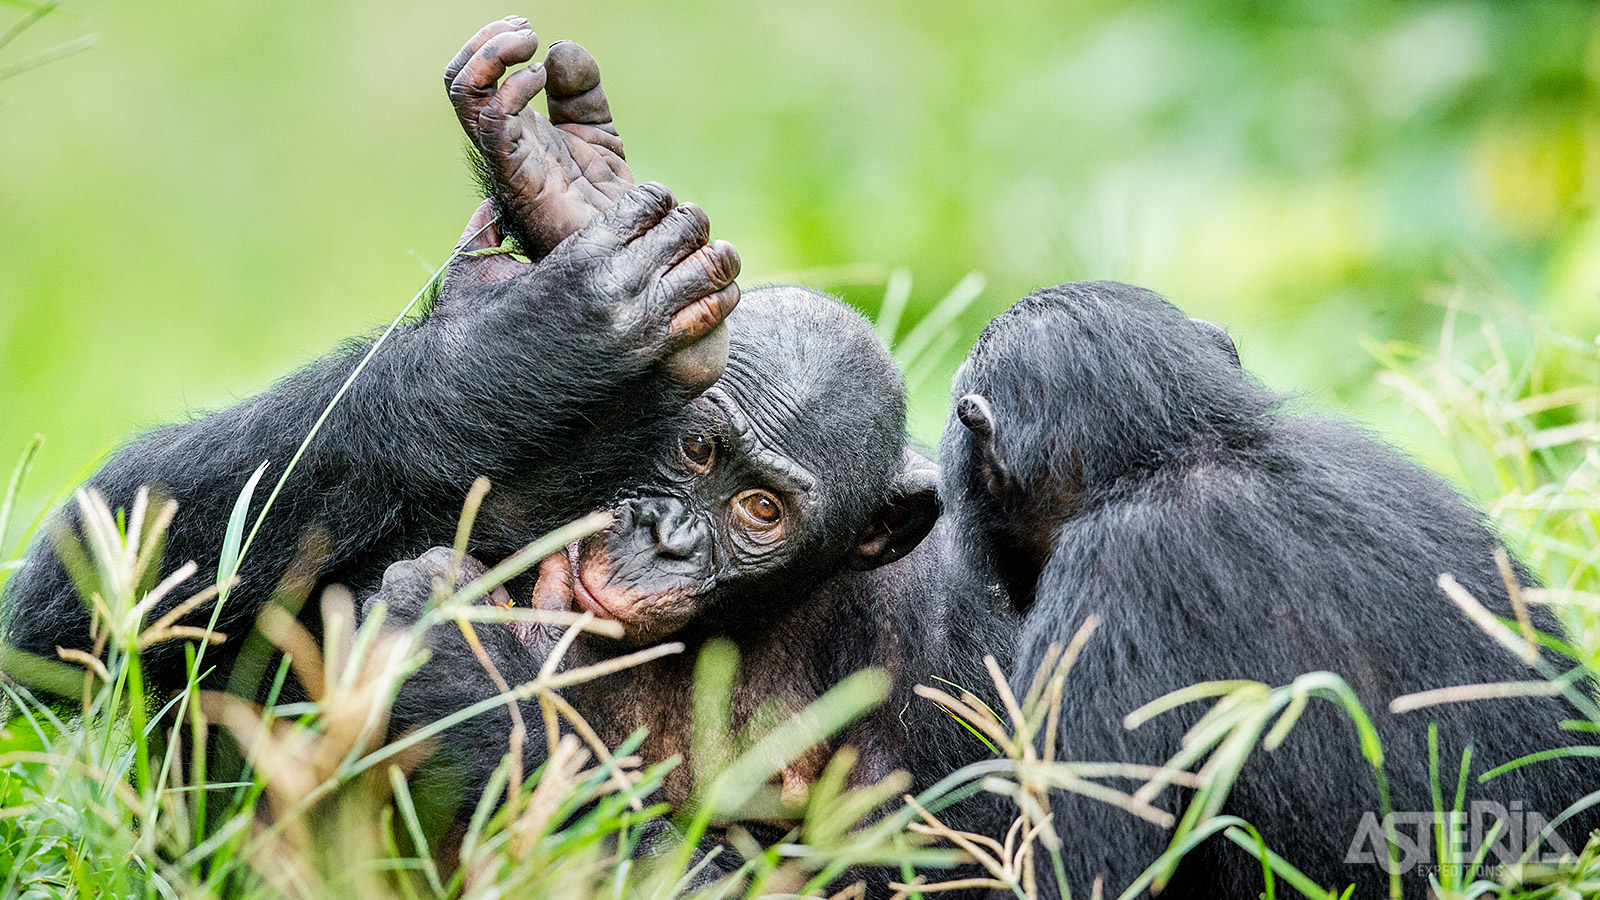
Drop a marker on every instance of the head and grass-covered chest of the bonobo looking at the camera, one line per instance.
(762, 520)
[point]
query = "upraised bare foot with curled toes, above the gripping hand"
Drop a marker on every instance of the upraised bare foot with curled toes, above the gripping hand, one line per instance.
(553, 175)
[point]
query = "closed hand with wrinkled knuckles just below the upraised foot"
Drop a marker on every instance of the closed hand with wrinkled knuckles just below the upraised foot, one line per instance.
(642, 276)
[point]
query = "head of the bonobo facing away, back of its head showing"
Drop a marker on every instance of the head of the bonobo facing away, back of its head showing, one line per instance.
(1074, 395)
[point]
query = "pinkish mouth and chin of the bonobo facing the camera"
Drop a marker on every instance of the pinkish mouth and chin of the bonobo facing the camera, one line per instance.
(585, 577)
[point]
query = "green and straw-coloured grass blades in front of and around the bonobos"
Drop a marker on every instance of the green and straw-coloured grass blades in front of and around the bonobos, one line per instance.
(111, 797)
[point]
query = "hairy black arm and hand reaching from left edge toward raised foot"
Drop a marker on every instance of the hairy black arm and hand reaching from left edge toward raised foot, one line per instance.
(505, 379)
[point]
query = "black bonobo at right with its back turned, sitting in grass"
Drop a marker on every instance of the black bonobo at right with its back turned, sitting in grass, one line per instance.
(1110, 457)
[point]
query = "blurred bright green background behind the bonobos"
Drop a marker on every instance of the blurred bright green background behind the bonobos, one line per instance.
(220, 191)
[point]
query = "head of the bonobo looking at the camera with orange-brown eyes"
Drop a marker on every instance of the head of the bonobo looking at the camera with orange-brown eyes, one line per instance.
(785, 472)
